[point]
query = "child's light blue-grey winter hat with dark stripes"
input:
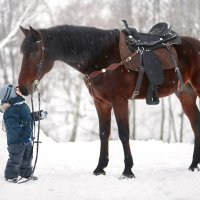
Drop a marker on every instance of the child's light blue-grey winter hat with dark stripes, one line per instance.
(7, 92)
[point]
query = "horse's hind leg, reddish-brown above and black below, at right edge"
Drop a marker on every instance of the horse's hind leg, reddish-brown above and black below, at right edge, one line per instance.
(188, 101)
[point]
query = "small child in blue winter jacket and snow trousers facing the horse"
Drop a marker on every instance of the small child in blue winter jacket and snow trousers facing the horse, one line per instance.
(19, 126)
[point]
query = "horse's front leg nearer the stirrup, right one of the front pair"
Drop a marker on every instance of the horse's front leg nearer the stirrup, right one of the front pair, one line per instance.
(121, 113)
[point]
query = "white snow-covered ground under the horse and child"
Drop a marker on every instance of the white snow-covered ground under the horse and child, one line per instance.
(65, 173)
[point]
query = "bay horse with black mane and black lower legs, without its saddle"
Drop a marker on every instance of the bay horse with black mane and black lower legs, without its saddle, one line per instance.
(90, 49)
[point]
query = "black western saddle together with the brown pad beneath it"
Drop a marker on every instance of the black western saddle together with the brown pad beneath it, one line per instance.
(150, 53)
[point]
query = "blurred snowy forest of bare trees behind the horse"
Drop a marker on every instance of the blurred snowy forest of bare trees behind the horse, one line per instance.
(72, 115)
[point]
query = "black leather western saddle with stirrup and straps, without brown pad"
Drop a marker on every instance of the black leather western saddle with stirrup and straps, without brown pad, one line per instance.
(148, 45)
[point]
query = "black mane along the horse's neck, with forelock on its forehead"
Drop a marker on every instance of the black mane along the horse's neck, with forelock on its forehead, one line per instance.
(75, 40)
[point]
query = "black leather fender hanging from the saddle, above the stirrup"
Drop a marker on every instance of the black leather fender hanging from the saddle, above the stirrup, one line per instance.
(153, 67)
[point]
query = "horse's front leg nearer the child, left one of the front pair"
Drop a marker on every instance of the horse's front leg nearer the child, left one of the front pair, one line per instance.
(104, 114)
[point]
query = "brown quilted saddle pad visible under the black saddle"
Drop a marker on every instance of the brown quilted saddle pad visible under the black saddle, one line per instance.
(134, 63)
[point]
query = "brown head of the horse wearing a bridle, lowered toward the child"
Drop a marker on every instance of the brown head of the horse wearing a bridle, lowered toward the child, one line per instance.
(35, 62)
